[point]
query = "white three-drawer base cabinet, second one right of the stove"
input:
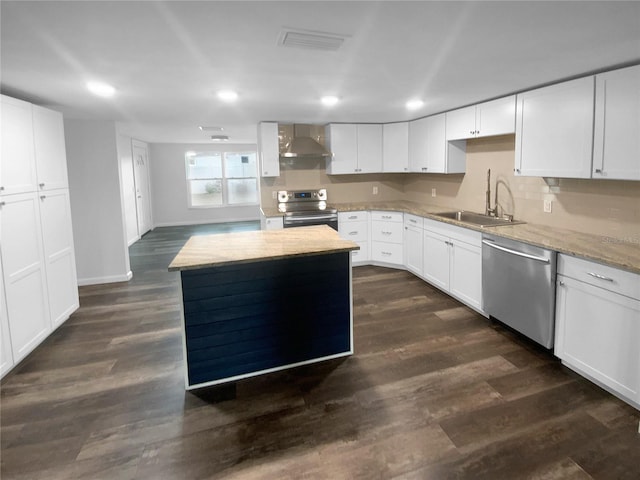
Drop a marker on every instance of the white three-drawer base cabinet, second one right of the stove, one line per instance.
(387, 238)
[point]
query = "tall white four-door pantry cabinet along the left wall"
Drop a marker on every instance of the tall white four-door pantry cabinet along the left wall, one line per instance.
(38, 282)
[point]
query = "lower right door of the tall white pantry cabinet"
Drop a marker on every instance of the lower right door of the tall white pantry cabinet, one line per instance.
(59, 256)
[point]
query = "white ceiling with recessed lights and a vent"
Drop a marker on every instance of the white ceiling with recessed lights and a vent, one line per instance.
(167, 60)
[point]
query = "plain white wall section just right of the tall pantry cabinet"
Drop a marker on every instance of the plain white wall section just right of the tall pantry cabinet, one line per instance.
(96, 202)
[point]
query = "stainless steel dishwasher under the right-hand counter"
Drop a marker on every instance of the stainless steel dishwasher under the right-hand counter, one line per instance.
(519, 286)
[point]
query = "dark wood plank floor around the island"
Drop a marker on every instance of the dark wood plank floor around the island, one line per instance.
(434, 391)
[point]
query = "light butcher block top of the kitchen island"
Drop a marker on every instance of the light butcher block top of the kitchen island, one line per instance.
(205, 251)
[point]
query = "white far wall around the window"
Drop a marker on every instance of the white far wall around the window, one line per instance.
(169, 187)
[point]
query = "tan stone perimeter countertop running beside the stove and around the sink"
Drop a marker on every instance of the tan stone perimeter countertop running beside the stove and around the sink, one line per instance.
(616, 252)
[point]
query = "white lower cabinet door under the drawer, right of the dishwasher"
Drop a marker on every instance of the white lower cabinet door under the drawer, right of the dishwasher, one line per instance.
(597, 333)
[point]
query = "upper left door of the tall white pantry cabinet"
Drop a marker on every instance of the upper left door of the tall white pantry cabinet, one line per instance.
(17, 160)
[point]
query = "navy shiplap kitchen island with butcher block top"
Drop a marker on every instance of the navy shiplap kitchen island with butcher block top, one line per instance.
(261, 301)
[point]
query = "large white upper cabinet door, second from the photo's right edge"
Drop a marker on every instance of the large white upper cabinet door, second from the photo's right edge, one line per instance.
(554, 130)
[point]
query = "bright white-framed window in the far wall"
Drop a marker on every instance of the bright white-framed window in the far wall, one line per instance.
(217, 179)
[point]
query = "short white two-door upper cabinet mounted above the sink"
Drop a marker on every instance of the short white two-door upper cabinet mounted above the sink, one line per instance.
(496, 117)
